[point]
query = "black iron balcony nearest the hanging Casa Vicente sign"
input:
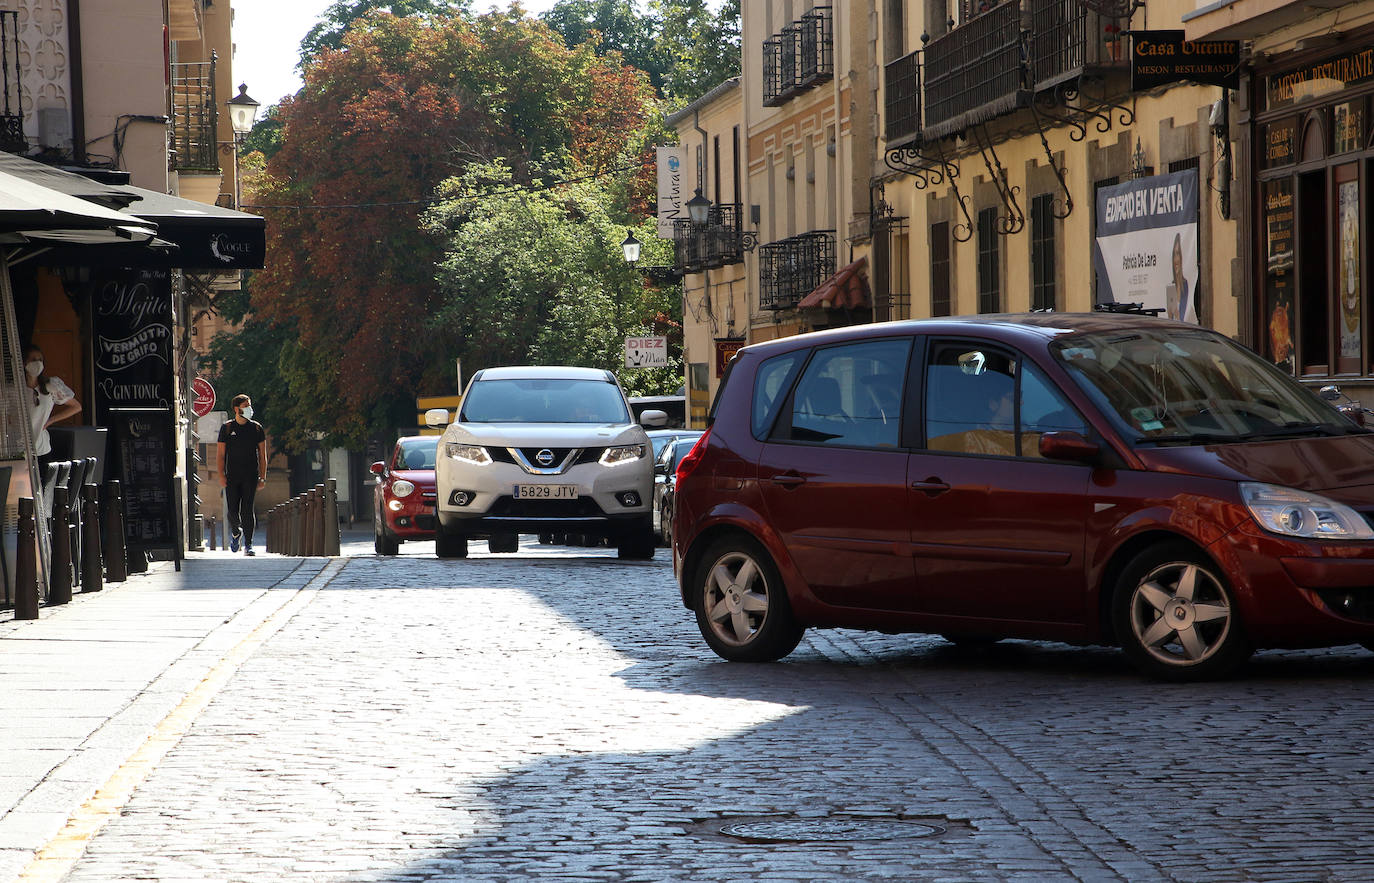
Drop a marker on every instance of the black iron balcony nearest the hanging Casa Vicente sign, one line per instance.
(1070, 41)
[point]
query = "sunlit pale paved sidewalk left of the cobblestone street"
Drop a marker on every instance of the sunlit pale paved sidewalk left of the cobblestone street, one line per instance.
(87, 685)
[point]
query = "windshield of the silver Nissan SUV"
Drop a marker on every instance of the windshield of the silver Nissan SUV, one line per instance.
(545, 402)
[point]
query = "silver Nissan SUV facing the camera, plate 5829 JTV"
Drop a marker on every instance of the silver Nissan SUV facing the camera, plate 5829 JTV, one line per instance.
(545, 450)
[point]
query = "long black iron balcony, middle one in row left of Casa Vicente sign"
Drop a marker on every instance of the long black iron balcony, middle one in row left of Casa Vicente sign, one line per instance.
(976, 73)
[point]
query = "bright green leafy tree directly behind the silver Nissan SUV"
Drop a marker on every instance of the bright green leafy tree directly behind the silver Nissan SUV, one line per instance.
(538, 277)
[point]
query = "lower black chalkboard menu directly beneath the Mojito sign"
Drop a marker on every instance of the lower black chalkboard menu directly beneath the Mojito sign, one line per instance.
(145, 450)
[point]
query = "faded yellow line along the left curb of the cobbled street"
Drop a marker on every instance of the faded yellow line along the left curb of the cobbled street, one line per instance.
(60, 855)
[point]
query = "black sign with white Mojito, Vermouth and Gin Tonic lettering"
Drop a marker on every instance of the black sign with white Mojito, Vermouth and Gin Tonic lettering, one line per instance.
(133, 339)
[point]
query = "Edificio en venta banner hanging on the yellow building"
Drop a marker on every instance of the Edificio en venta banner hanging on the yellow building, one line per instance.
(1147, 248)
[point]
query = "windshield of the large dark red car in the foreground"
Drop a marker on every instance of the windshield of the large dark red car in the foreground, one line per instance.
(1192, 387)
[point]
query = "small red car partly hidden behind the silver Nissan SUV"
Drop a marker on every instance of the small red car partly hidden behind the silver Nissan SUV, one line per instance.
(403, 499)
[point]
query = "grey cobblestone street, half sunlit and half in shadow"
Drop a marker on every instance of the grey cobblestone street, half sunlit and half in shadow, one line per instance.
(556, 716)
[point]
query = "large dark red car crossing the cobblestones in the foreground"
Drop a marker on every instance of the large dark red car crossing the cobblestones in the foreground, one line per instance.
(1090, 479)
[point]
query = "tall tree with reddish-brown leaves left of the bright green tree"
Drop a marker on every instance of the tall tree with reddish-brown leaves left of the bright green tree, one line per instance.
(380, 123)
